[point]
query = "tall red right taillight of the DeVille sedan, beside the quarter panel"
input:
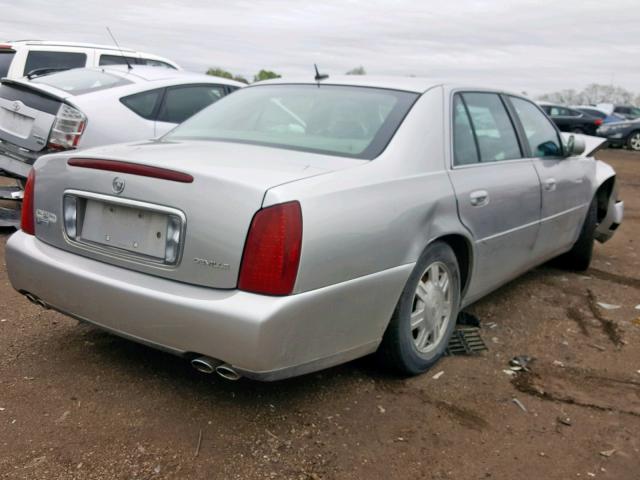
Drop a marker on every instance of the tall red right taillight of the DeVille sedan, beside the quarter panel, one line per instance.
(272, 250)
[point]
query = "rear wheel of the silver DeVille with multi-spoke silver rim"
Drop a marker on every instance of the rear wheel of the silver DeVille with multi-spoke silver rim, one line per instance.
(413, 349)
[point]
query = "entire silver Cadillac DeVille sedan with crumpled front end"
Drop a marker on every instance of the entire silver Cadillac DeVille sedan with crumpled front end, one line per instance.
(296, 225)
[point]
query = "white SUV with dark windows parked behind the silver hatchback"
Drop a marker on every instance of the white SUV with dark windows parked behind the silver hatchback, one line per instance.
(24, 58)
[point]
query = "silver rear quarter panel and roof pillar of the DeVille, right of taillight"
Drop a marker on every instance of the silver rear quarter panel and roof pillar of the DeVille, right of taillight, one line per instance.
(379, 215)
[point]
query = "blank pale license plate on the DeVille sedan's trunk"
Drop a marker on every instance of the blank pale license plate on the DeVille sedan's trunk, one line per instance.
(138, 231)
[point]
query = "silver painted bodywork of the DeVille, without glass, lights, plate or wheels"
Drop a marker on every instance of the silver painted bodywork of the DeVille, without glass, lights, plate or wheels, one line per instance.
(365, 224)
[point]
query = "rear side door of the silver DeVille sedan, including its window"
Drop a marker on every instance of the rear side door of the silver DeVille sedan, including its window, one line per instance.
(496, 187)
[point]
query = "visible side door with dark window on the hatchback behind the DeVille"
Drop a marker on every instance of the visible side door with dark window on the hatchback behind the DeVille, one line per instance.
(182, 102)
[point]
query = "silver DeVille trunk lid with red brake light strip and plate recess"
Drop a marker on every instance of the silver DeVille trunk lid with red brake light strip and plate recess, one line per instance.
(128, 219)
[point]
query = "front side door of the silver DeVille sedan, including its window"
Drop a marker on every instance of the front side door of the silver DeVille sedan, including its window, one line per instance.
(565, 181)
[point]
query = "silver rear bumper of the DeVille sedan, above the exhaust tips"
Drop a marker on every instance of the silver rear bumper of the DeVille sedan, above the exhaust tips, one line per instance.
(266, 338)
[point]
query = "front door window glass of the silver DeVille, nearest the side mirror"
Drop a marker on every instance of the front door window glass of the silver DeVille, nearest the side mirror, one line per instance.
(542, 136)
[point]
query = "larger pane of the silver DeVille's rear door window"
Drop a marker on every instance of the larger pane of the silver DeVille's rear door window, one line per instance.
(493, 128)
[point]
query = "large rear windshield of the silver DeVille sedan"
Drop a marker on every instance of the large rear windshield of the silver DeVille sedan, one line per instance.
(354, 122)
